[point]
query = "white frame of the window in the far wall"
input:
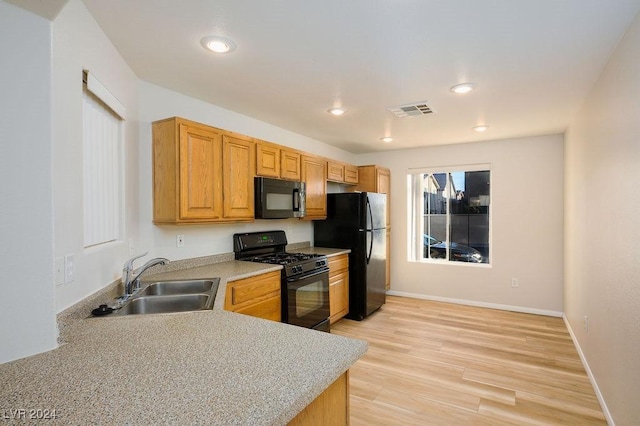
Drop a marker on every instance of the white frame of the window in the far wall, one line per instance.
(415, 216)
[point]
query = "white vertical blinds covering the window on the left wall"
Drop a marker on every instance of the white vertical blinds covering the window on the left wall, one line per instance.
(102, 136)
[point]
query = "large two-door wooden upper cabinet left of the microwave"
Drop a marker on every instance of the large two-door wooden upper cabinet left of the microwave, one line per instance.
(191, 182)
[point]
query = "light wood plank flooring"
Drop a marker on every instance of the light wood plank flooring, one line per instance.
(432, 363)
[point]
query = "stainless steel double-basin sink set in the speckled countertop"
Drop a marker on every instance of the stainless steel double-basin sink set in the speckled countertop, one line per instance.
(162, 297)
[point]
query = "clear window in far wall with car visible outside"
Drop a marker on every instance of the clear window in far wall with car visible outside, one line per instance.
(450, 212)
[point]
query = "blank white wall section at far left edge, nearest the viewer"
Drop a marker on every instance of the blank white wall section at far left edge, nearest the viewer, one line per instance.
(27, 309)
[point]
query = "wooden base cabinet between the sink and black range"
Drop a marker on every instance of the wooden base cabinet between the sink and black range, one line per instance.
(257, 296)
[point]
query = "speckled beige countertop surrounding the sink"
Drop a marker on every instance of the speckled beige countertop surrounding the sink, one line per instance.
(206, 367)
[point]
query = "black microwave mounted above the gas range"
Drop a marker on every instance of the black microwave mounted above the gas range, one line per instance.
(278, 198)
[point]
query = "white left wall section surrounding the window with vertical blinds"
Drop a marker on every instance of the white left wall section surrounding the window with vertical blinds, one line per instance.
(79, 43)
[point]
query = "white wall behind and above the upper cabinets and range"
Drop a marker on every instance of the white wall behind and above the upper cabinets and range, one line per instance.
(157, 103)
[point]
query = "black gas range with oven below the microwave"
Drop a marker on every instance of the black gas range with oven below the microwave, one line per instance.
(305, 277)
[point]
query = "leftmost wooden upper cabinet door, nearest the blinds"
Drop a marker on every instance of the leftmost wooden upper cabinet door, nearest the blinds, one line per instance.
(200, 176)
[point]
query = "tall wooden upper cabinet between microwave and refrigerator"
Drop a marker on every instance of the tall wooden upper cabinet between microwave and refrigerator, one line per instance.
(314, 174)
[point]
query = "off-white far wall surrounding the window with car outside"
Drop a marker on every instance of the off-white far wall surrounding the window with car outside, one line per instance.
(526, 225)
